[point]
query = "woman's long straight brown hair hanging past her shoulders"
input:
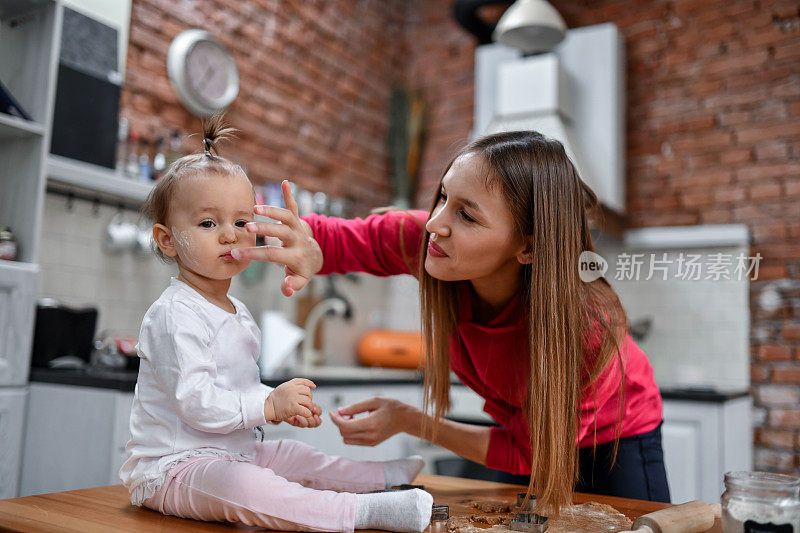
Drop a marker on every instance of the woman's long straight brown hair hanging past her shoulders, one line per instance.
(551, 207)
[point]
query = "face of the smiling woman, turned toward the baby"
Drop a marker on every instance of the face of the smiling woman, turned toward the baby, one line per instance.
(472, 235)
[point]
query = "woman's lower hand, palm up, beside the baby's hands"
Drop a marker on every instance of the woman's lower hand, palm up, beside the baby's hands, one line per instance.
(386, 418)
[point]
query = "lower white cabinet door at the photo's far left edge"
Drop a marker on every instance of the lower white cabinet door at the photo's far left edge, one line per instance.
(12, 422)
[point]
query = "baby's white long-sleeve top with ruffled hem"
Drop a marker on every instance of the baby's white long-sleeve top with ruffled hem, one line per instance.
(199, 390)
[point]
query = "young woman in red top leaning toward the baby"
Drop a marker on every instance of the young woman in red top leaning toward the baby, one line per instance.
(504, 308)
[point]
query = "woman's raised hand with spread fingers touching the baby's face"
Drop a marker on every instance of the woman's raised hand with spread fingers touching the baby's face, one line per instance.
(300, 254)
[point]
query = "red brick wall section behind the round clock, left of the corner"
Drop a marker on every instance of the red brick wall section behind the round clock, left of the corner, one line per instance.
(315, 78)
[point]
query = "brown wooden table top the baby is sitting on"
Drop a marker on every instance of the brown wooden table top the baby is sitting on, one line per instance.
(105, 509)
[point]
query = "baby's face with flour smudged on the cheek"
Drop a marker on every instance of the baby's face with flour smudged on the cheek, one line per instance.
(207, 220)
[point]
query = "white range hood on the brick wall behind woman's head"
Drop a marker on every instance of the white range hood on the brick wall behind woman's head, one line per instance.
(574, 94)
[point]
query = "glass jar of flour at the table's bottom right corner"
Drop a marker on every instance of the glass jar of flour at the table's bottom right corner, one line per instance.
(760, 502)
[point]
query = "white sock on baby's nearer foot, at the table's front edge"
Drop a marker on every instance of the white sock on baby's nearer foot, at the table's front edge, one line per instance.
(400, 510)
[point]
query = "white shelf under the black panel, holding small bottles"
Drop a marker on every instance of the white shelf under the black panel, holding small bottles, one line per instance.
(94, 178)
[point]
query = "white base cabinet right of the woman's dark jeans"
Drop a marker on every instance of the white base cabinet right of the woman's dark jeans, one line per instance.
(703, 440)
